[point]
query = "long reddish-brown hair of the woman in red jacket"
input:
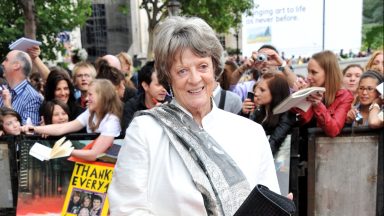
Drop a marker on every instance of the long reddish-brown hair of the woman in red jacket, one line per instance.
(328, 61)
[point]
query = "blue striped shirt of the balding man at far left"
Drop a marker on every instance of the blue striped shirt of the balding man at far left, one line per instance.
(26, 101)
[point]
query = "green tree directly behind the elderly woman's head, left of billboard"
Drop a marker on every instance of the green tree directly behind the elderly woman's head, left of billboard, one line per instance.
(220, 14)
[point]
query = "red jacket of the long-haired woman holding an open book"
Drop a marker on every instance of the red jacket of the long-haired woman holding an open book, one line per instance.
(331, 119)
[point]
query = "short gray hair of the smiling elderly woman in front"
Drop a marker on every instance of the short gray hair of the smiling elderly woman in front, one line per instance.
(175, 35)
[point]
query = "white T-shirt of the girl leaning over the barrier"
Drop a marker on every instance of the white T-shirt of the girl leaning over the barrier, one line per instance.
(109, 126)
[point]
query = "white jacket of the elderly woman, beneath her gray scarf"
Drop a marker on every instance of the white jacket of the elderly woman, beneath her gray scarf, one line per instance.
(150, 178)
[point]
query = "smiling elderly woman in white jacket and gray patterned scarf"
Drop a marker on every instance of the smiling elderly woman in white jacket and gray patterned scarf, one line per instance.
(188, 157)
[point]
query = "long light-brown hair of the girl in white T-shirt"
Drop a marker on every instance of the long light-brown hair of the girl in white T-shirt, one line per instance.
(108, 100)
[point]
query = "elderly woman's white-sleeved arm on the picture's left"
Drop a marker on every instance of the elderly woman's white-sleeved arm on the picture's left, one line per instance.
(128, 191)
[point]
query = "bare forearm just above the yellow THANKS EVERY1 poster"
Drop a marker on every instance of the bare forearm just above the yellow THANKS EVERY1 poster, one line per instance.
(102, 143)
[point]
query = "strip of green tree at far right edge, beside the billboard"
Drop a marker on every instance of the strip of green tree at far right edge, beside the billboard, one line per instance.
(373, 24)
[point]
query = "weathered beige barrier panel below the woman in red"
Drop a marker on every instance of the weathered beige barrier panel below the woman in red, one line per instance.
(345, 173)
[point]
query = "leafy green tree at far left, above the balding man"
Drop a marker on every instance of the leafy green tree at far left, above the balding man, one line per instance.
(42, 20)
